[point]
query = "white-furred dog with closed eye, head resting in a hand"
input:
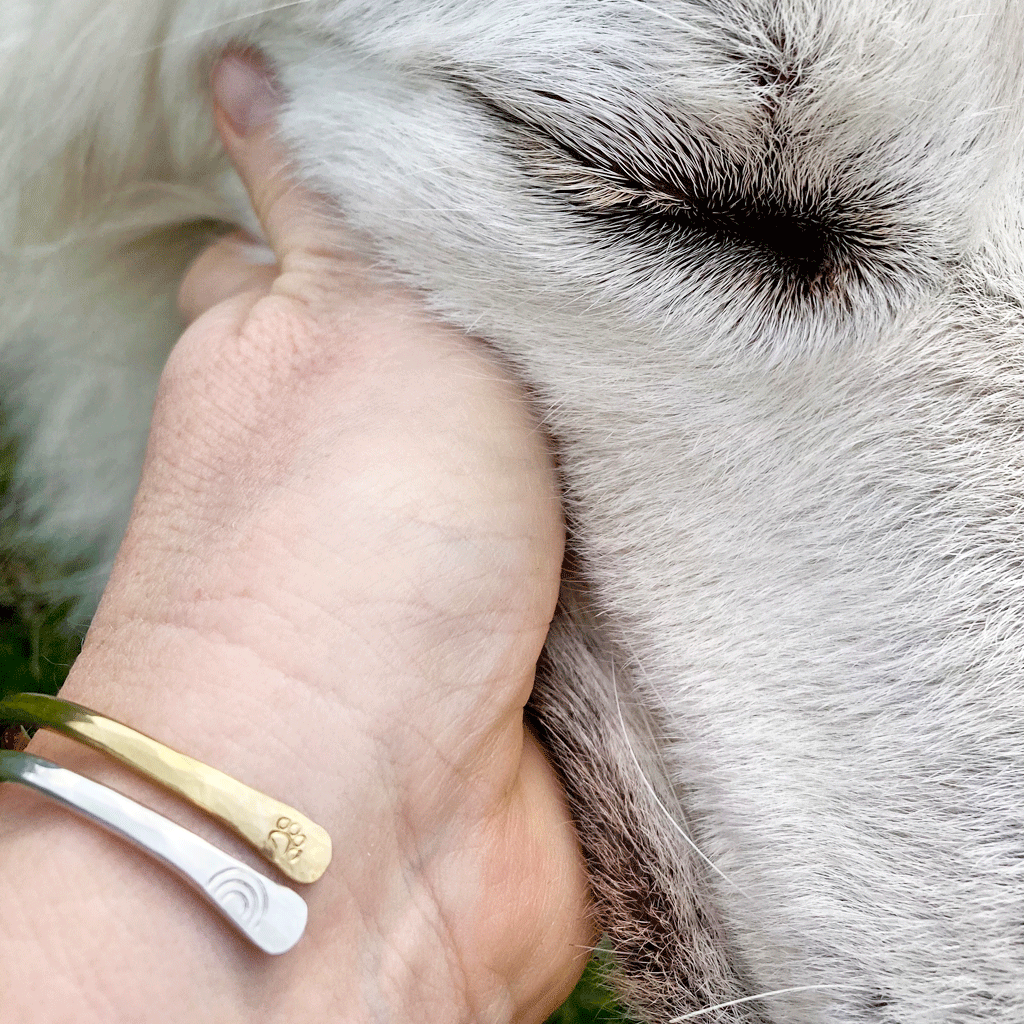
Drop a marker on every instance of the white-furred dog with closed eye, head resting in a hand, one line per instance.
(761, 263)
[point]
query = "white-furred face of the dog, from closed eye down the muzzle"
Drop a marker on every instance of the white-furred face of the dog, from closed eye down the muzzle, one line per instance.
(761, 264)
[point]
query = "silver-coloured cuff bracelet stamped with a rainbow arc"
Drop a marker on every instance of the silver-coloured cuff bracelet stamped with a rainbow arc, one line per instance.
(271, 916)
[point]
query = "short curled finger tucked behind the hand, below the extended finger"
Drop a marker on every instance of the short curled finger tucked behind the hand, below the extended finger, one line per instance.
(232, 267)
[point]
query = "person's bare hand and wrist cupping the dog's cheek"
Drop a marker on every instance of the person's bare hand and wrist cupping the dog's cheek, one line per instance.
(337, 581)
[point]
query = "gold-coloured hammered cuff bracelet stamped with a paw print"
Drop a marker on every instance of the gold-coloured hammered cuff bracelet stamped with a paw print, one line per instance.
(301, 848)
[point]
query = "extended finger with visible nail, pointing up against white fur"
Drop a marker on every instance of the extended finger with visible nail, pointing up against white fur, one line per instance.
(247, 102)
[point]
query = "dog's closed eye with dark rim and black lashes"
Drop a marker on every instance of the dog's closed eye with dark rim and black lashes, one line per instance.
(801, 241)
